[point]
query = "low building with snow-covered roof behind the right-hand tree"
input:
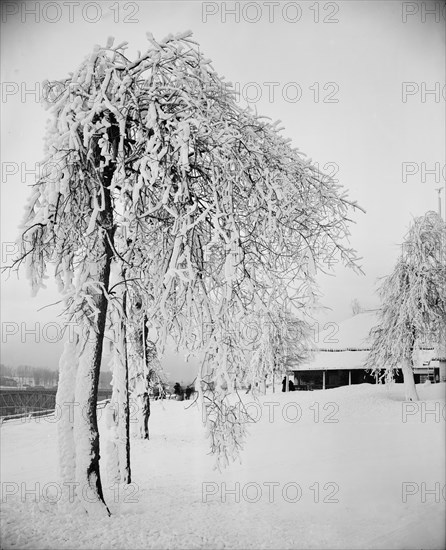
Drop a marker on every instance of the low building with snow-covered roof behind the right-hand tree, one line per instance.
(339, 357)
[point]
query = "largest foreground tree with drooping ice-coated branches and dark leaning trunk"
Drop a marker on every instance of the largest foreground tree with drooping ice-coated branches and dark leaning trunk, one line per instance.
(154, 171)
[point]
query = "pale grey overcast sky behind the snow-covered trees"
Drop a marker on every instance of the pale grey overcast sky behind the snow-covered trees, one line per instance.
(359, 87)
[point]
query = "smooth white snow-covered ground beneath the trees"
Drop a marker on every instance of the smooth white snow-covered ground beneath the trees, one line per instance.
(370, 475)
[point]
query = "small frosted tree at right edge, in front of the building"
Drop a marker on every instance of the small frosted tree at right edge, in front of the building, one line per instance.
(413, 301)
